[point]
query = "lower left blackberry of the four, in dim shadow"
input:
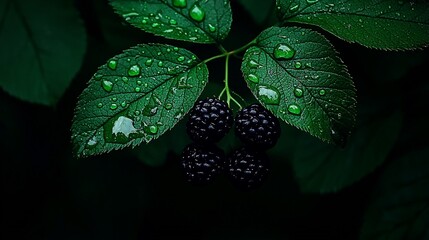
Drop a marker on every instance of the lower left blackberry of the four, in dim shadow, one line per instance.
(201, 164)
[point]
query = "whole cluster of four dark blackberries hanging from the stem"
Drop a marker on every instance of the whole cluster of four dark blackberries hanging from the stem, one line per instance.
(210, 120)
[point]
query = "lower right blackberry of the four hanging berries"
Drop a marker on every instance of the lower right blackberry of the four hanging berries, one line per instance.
(247, 168)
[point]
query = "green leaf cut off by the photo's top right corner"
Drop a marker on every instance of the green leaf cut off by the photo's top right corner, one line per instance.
(383, 24)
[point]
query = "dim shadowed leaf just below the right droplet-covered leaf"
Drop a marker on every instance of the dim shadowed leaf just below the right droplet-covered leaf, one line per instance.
(327, 168)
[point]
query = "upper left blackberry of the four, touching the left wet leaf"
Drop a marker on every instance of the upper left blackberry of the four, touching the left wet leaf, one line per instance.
(209, 121)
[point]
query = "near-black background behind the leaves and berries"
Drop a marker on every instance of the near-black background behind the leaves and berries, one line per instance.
(47, 194)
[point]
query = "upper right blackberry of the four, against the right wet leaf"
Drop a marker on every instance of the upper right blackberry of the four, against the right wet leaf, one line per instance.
(257, 127)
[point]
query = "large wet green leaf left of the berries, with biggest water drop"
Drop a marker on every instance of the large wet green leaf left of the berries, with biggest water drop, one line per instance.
(136, 97)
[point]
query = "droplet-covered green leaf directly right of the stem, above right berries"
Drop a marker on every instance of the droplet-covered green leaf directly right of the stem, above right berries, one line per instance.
(297, 75)
